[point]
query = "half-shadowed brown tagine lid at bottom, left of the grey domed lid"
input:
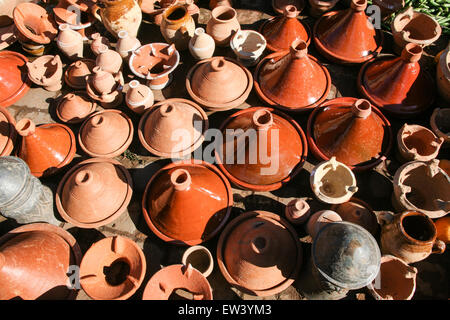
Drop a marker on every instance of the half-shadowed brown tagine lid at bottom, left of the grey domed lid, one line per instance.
(259, 253)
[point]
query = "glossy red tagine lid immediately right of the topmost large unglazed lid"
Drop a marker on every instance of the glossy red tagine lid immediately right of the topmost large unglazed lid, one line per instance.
(292, 81)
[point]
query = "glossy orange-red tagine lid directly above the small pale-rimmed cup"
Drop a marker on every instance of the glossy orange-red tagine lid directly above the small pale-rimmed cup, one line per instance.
(187, 203)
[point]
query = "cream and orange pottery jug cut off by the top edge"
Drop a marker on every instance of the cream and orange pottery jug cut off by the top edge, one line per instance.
(118, 15)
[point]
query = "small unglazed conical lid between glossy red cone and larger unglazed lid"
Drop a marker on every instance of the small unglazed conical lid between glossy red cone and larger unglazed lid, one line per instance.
(106, 134)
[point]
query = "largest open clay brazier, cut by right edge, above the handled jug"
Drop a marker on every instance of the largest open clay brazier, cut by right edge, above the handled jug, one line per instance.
(422, 187)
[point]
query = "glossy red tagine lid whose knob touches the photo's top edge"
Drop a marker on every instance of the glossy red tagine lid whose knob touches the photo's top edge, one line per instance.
(347, 36)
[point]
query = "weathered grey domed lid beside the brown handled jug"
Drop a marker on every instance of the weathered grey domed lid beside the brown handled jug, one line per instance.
(346, 254)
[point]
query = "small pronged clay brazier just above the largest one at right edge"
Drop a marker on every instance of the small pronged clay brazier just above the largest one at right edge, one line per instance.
(418, 143)
